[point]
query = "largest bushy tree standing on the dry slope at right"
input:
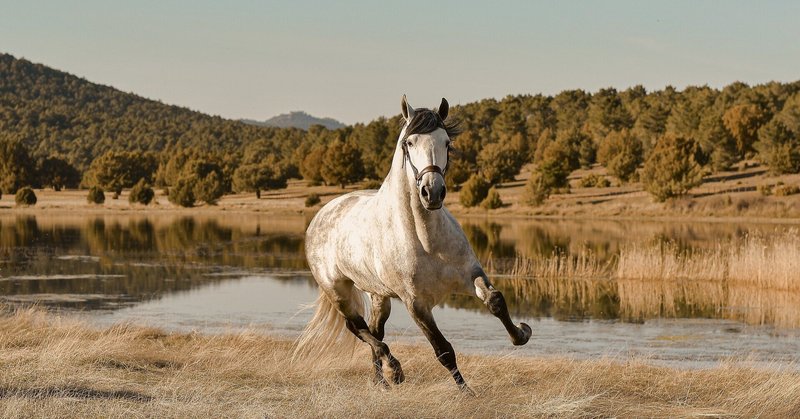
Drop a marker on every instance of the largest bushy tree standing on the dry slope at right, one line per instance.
(672, 169)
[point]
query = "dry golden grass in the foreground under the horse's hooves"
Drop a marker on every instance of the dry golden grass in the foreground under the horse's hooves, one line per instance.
(54, 367)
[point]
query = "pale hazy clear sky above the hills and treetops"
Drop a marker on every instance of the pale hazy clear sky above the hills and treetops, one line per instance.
(353, 60)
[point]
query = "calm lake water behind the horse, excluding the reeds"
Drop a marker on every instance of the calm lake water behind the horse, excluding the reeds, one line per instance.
(222, 273)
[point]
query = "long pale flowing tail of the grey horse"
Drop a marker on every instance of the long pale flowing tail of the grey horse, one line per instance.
(326, 334)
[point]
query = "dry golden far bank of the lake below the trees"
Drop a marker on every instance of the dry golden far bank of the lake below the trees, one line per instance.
(729, 195)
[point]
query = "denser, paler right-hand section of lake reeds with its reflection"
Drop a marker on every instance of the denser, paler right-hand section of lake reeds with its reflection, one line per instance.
(755, 279)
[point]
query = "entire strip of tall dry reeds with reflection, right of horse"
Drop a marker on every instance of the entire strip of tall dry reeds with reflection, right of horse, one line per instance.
(754, 279)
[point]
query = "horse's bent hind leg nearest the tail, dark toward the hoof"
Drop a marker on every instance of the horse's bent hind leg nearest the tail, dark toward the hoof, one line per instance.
(358, 326)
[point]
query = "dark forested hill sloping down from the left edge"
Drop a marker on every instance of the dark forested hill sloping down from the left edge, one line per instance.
(57, 114)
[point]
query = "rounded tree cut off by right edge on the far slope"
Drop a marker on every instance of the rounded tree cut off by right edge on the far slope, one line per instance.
(778, 147)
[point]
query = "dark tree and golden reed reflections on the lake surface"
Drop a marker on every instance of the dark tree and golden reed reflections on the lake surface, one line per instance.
(116, 261)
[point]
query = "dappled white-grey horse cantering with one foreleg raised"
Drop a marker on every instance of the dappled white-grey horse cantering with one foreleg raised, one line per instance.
(397, 242)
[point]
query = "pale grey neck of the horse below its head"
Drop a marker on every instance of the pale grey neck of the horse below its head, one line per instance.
(403, 205)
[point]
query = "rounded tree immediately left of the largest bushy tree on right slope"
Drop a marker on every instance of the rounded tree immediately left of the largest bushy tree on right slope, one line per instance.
(621, 154)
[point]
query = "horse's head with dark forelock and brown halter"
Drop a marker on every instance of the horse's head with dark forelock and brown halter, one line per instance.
(426, 145)
